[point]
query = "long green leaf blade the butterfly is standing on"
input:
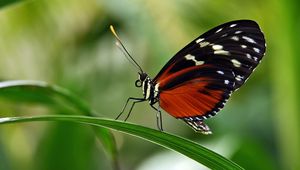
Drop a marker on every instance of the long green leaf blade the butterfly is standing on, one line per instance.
(189, 148)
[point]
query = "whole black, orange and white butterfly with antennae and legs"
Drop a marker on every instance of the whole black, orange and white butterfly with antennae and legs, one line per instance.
(197, 81)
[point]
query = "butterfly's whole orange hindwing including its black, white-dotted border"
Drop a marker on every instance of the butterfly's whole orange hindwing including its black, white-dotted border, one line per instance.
(202, 93)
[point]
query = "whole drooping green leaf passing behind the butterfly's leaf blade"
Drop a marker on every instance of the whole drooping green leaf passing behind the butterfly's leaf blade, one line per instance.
(40, 92)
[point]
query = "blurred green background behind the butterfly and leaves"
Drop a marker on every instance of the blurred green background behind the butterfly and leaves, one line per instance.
(68, 43)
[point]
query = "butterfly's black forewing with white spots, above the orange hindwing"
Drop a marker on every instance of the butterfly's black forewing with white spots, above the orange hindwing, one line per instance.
(236, 45)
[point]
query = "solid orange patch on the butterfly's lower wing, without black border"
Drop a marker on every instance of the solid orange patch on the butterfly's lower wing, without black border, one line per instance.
(190, 100)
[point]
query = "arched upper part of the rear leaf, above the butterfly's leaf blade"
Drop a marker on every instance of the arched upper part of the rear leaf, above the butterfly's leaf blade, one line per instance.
(43, 93)
